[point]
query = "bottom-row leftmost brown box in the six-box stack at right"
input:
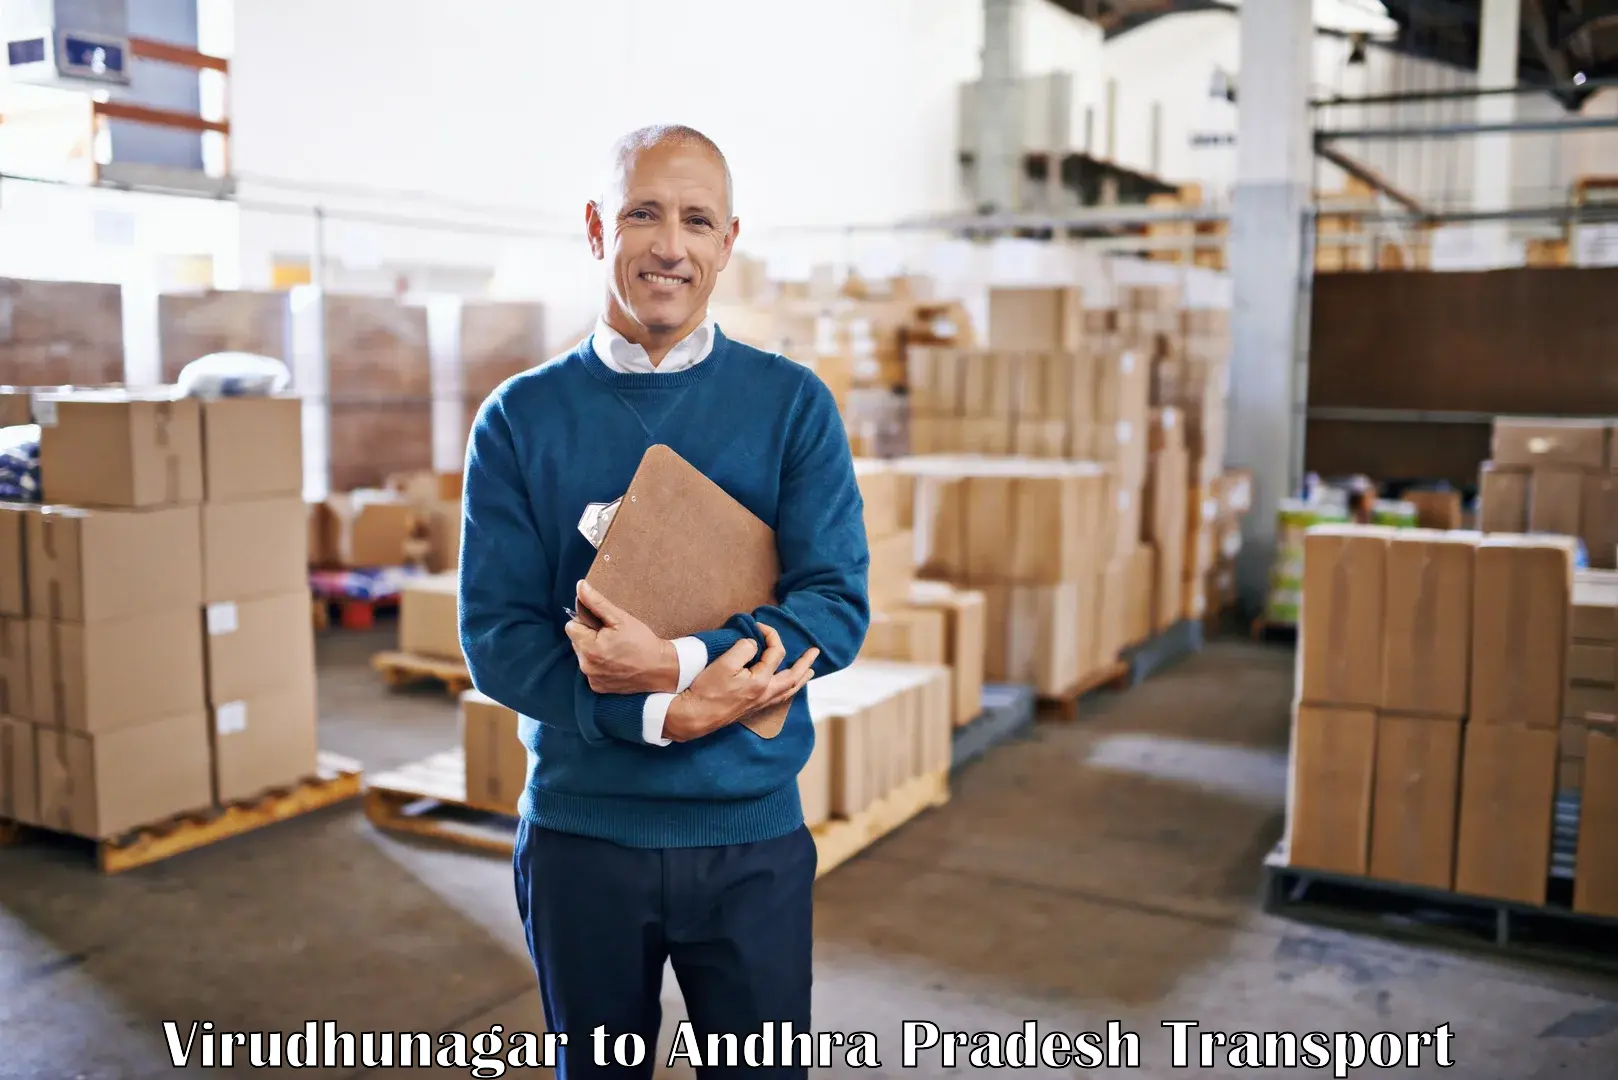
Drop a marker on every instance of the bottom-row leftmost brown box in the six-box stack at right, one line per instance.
(1332, 763)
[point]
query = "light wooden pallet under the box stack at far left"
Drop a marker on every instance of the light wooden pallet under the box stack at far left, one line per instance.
(339, 780)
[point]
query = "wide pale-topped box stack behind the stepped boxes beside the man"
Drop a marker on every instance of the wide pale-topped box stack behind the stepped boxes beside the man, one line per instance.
(1041, 540)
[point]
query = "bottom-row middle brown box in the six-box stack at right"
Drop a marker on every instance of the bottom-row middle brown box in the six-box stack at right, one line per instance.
(1417, 799)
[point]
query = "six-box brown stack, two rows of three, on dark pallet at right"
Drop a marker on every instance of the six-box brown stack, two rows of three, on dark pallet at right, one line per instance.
(1431, 691)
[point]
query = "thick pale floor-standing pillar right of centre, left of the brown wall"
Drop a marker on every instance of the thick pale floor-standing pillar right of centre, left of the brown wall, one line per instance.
(1274, 176)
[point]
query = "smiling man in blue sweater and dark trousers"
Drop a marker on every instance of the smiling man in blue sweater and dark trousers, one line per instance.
(656, 827)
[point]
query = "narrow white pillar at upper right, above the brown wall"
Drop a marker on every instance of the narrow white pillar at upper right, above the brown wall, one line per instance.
(1497, 66)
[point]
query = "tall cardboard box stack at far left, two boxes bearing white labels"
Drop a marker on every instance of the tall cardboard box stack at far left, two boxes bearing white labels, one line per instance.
(169, 652)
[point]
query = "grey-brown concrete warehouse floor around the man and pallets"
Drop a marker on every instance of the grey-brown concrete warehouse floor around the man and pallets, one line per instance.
(1098, 872)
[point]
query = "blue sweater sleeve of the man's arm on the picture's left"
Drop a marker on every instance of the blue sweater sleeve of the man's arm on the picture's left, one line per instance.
(517, 652)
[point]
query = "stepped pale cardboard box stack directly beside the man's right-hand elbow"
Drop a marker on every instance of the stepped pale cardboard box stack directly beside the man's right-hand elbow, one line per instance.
(920, 623)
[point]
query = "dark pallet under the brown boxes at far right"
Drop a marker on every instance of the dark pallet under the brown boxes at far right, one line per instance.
(1540, 932)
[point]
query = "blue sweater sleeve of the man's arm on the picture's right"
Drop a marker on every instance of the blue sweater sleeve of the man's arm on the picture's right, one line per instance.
(823, 600)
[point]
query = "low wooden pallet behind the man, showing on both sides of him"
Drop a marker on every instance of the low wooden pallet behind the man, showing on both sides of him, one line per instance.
(428, 799)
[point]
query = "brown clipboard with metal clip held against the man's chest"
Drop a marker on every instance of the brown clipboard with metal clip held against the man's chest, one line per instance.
(680, 555)
